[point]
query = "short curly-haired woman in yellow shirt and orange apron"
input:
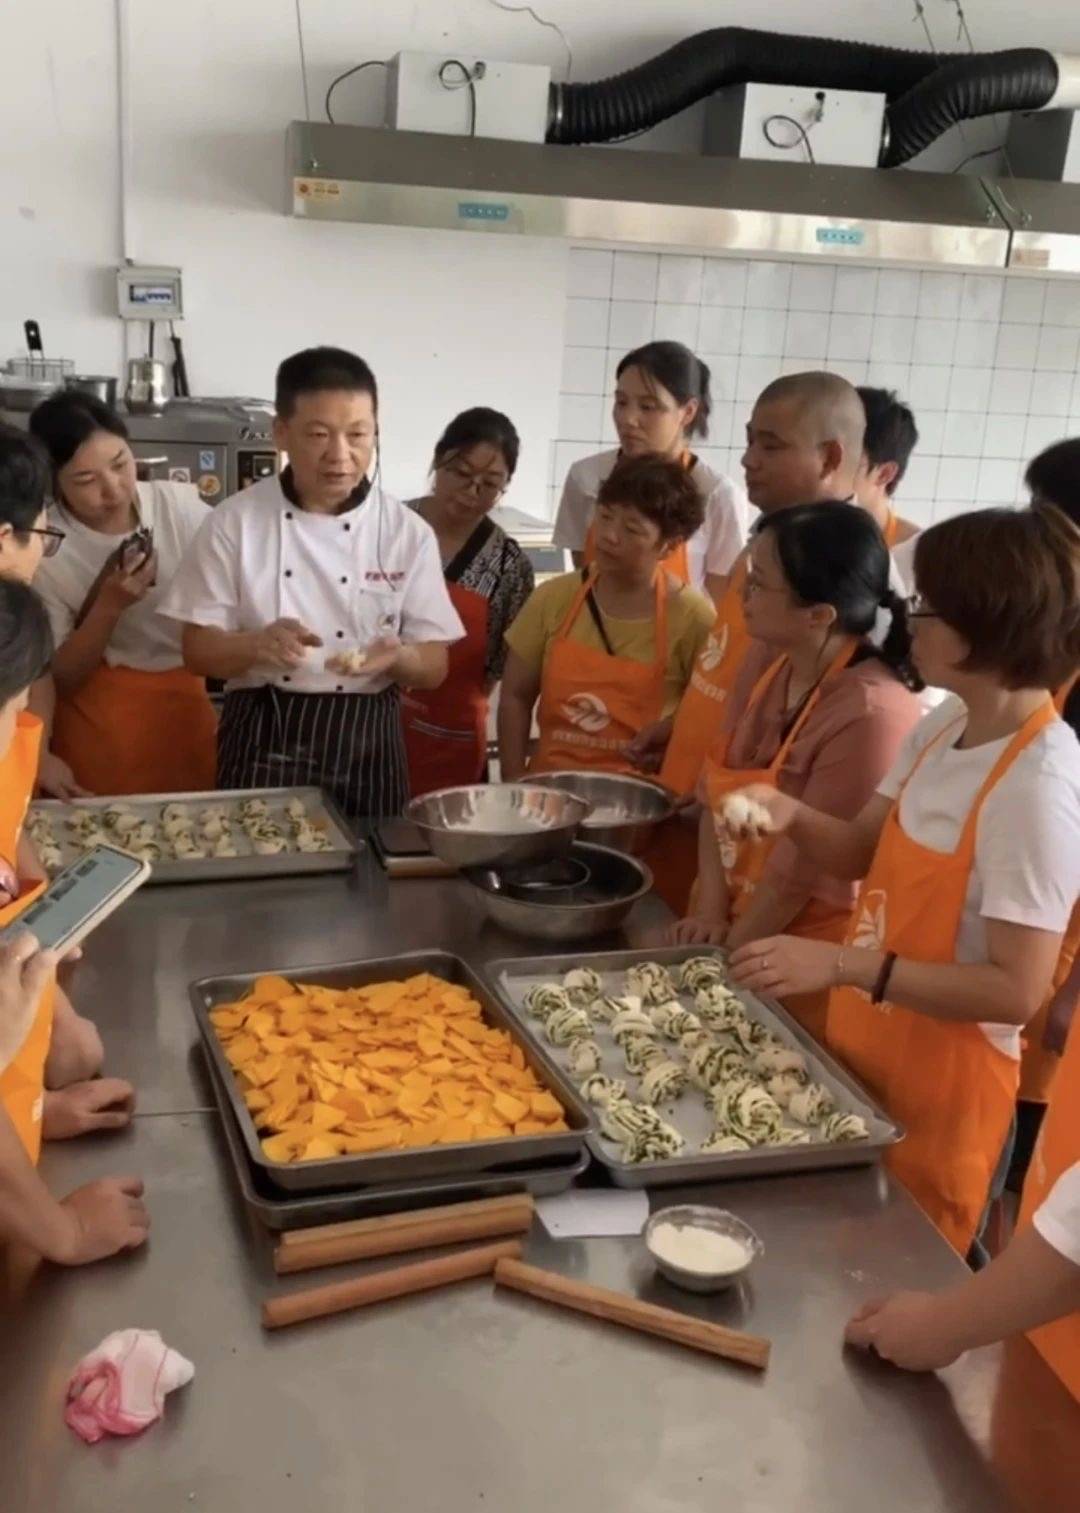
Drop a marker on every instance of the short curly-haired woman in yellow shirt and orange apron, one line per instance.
(610, 651)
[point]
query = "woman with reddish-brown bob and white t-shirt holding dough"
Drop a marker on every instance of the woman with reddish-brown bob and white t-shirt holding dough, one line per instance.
(970, 857)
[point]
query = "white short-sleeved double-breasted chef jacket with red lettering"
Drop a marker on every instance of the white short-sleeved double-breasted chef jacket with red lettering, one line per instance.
(350, 579)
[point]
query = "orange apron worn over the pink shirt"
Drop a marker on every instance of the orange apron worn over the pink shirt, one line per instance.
(745, 862)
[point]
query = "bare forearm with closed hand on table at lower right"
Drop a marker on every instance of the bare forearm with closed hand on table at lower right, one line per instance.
(1028, 1285)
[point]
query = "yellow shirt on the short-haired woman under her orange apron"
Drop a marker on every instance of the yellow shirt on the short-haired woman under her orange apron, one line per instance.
(691, 617)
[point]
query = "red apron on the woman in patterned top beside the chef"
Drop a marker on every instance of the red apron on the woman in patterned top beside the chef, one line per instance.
(447, 729)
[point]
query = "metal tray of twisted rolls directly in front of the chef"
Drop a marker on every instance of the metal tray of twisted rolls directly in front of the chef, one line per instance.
(223, 869)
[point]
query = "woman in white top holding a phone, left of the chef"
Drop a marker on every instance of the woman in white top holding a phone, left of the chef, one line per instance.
(129, 719)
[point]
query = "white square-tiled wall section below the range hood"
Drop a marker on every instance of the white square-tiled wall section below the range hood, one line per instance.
(990, 364)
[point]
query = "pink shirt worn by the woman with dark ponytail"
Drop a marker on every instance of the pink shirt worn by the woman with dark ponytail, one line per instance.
(839, 759)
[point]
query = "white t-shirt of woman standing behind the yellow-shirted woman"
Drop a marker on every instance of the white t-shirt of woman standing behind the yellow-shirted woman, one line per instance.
(712, 550)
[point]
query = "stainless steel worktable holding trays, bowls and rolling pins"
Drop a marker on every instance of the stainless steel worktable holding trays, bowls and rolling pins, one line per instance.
(465, 1400)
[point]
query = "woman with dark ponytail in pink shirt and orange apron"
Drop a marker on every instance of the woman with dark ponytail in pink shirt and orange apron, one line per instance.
(818, 713)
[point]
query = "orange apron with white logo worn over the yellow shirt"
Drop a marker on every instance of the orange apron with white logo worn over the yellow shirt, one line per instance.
(592, 704)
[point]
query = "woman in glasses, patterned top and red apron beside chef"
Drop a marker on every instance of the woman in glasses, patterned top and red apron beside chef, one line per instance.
(489, 579)
